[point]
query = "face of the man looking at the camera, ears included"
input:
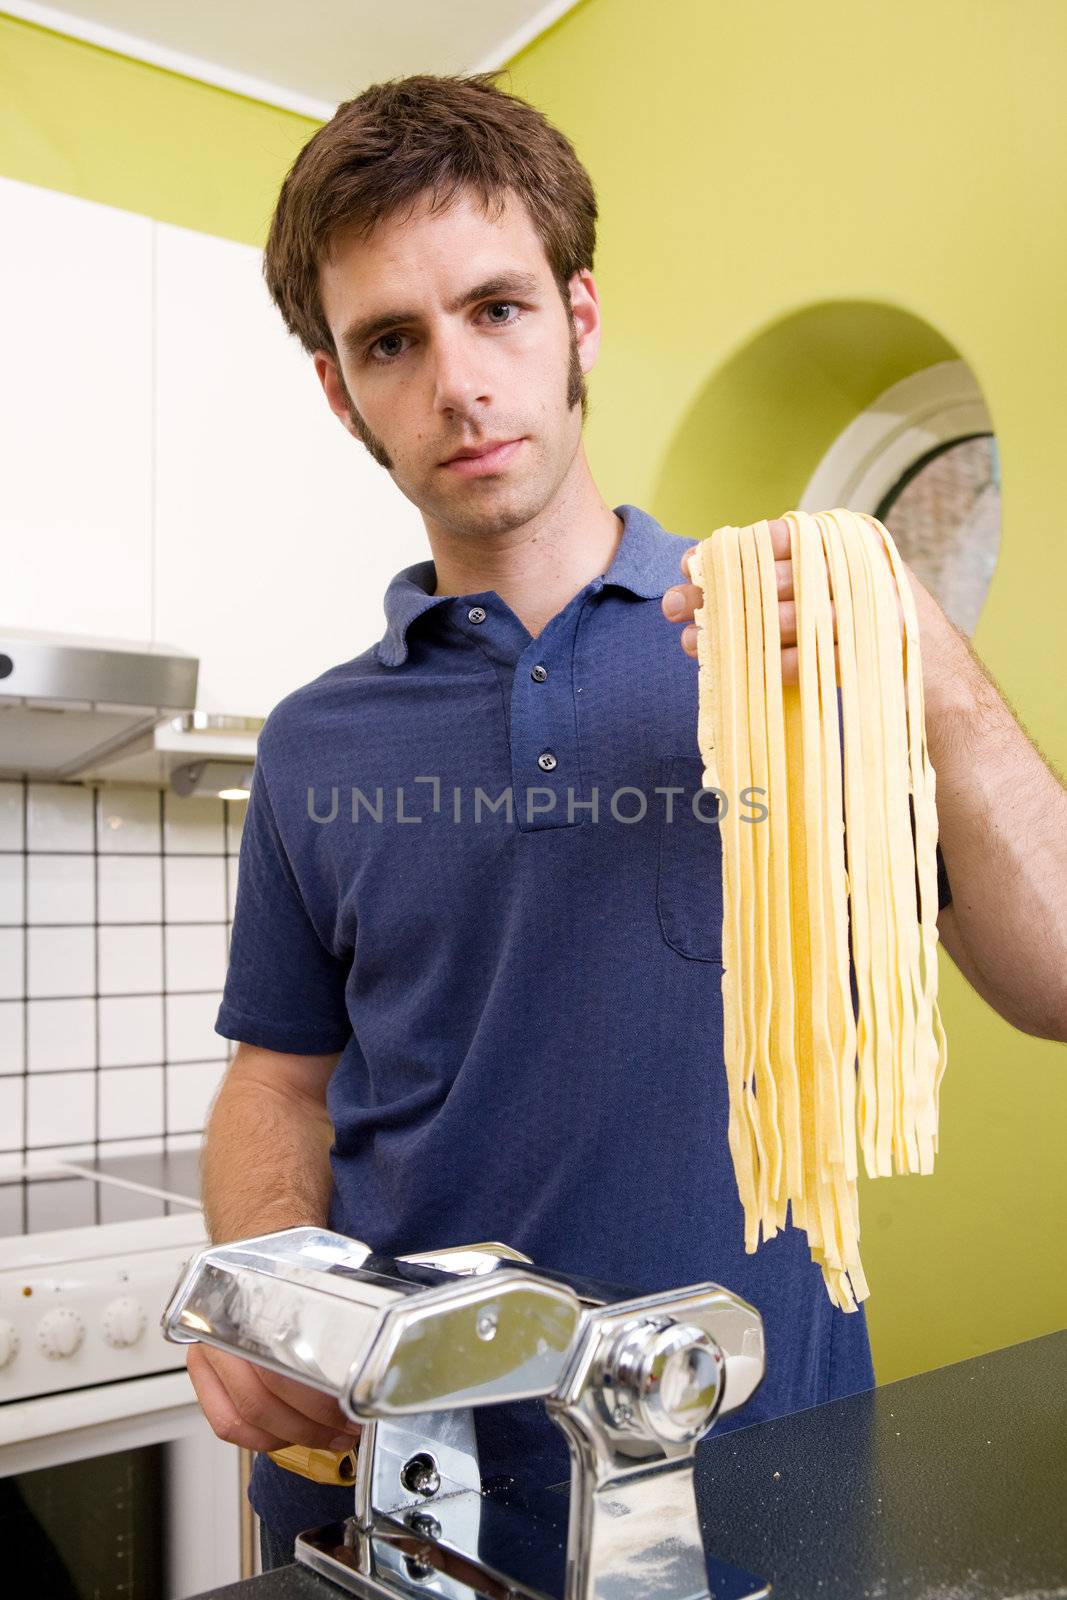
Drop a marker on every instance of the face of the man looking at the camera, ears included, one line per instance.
(441, 372)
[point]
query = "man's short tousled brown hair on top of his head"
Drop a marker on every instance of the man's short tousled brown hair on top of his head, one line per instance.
(399, 140)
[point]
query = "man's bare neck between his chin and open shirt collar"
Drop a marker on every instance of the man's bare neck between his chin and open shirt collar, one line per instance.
(537, 569)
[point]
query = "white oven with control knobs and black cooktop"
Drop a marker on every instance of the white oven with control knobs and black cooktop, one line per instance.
(111, 1481)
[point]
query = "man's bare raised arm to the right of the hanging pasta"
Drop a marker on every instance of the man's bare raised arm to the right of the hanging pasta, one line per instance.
(1002, 818)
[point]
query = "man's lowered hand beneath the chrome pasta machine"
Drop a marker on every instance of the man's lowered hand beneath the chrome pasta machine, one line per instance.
(252, 1407)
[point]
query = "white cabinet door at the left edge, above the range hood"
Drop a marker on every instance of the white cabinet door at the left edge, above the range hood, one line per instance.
(76, 415)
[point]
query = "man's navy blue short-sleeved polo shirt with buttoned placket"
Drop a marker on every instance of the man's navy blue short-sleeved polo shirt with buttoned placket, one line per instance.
(473, 865)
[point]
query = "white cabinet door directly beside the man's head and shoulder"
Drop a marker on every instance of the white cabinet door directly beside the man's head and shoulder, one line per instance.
(276, 534)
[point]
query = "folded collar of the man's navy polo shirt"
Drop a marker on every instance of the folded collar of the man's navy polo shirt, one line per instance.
(645, 564)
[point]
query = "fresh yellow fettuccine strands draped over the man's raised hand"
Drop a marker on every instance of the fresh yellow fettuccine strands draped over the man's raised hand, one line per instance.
(839, 882)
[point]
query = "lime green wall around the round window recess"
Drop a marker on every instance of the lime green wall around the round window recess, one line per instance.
(799, 207)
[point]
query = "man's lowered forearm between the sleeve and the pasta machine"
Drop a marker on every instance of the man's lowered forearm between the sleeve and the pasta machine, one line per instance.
(266, 1159)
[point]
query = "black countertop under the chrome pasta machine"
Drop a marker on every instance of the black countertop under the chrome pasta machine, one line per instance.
(945, 1487)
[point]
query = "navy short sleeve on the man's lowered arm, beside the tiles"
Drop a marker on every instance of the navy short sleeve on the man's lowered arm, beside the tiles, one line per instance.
(284, 986)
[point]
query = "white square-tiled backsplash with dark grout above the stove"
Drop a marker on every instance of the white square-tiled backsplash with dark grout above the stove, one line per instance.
(116, 906)
